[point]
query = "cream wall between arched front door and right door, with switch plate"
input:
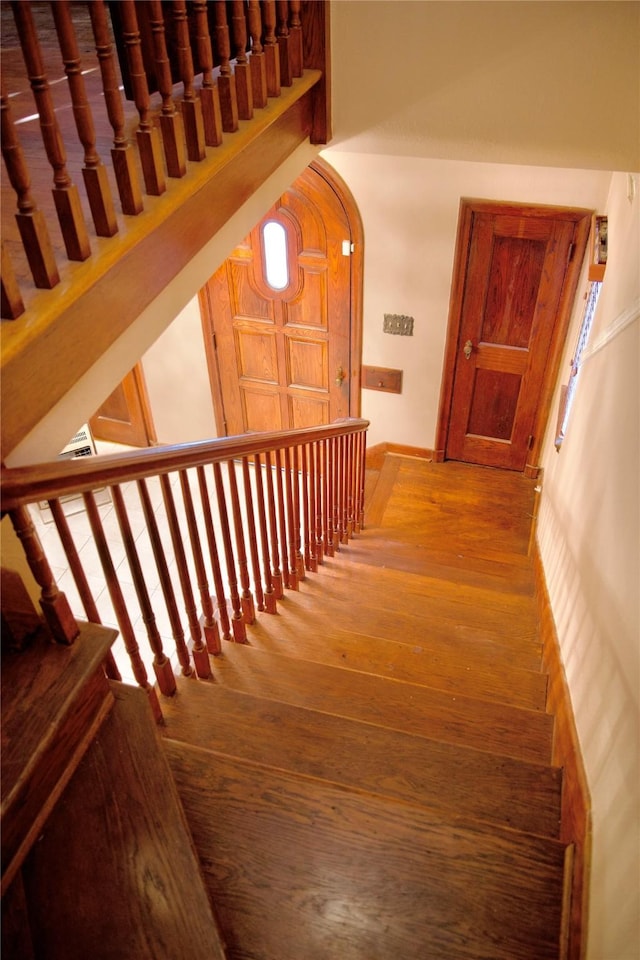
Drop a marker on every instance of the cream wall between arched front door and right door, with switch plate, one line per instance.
(409, 208)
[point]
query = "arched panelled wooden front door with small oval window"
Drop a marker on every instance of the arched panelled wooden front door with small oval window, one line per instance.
(282, 316)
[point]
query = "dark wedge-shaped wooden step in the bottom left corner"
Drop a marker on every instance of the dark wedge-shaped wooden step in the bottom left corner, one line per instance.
(115, 873)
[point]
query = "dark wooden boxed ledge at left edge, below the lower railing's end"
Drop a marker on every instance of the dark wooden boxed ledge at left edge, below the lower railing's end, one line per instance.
(54, 698)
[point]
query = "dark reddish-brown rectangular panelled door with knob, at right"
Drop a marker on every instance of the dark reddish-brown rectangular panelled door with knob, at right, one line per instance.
(513, 294)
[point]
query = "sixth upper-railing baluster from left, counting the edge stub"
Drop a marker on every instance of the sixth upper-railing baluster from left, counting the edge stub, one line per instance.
(146, 134)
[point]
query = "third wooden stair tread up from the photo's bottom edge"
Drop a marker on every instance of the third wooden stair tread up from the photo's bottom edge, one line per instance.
(482, 725)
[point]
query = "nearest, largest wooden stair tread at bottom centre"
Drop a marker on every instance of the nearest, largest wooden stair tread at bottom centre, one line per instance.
(299, 868)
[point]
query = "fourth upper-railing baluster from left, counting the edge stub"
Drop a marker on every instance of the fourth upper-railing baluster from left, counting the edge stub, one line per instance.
(94, 172)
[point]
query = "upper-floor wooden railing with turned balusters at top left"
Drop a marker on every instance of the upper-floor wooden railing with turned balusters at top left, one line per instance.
(131, 95)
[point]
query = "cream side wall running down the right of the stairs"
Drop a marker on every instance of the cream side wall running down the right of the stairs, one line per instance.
(589, 536)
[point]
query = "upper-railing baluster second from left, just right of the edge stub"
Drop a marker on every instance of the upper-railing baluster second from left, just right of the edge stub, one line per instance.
(30, 220)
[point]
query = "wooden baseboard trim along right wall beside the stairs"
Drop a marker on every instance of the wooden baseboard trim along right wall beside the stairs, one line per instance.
(575, 826)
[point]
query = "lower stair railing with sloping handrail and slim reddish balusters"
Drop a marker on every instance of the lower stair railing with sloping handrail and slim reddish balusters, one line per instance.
(179, 546)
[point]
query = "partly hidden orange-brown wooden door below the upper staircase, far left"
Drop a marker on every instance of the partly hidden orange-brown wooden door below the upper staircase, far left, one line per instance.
(125, 416)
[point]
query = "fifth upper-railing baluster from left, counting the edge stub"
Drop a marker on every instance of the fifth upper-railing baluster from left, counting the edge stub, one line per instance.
(122, 155)
